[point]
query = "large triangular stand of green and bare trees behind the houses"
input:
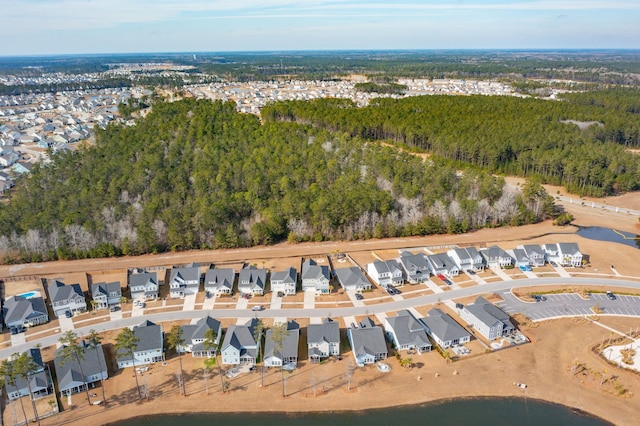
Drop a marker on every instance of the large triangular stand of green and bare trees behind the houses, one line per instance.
(196, 174)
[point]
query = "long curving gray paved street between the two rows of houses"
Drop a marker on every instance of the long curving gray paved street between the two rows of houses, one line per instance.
(497, 287)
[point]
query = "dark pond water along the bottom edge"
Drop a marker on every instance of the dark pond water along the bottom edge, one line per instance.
(458, 412)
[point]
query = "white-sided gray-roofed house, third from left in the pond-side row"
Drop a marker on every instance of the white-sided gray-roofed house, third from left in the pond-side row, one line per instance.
(149, 348)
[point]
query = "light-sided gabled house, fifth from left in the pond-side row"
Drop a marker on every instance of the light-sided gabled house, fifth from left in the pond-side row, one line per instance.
(239, 346)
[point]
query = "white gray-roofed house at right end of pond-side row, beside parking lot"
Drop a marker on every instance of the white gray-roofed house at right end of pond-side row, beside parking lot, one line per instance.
(489, 320)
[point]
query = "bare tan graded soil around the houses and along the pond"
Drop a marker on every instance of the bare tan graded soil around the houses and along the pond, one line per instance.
(558, 365)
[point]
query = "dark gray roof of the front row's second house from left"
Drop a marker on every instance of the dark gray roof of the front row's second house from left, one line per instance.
(69, 373)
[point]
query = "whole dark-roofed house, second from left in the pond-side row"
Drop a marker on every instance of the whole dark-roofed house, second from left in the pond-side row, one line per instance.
(69, 373)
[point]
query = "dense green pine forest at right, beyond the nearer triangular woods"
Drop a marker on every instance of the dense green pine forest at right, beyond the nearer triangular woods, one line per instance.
(509, 135)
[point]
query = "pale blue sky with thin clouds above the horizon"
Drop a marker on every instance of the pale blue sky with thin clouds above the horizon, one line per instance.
(43, 27)
